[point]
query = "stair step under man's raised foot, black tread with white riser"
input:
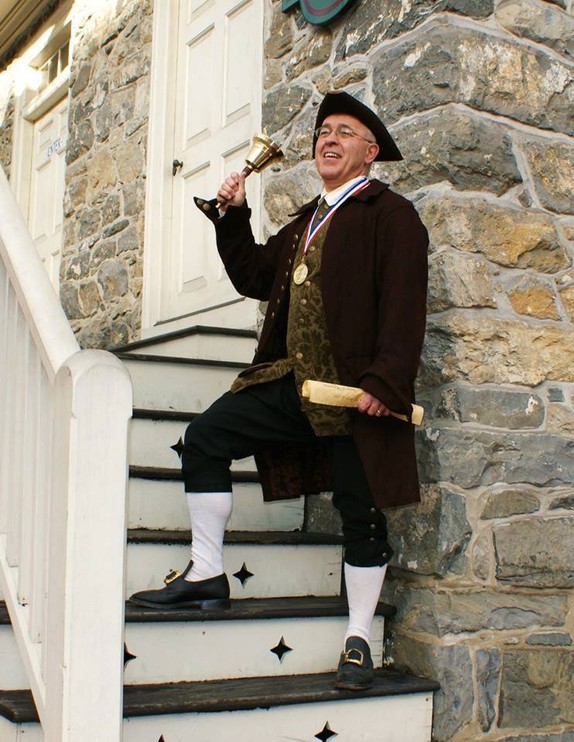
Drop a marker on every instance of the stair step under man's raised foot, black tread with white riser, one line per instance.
(253, 637)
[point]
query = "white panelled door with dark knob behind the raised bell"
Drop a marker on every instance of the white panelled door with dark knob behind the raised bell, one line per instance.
(217, 111)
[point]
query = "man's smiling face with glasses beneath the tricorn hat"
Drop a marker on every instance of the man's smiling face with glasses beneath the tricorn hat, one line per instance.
(337, 158)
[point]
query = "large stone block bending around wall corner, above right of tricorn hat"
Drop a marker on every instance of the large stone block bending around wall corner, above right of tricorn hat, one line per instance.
(446, 63)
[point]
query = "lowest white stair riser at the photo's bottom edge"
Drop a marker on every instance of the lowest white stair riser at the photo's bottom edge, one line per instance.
(392, 719)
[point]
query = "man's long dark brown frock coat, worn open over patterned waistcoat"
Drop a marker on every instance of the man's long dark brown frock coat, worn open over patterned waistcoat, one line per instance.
(374, 279)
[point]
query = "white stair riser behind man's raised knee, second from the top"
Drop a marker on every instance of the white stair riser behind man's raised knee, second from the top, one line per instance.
(178, 386)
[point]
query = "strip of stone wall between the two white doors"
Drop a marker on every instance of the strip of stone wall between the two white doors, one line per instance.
(102, 264)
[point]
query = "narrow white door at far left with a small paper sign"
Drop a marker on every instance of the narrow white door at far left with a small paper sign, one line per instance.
(46, 206)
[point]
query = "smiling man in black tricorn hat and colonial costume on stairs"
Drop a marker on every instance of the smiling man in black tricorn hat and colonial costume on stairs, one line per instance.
(346, 285)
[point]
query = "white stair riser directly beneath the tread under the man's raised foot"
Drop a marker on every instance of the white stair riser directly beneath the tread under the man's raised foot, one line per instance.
(172, 652)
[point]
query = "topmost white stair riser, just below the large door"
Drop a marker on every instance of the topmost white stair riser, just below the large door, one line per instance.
(212, 347)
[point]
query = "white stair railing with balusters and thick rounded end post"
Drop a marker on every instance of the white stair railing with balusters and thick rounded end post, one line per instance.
(63, 476)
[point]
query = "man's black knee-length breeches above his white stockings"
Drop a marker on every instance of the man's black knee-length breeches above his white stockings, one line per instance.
(242, 424)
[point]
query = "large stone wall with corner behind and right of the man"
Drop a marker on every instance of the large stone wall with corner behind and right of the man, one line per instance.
(479, 95)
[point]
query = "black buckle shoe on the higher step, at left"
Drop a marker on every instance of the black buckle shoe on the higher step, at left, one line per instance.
(181, 593)
